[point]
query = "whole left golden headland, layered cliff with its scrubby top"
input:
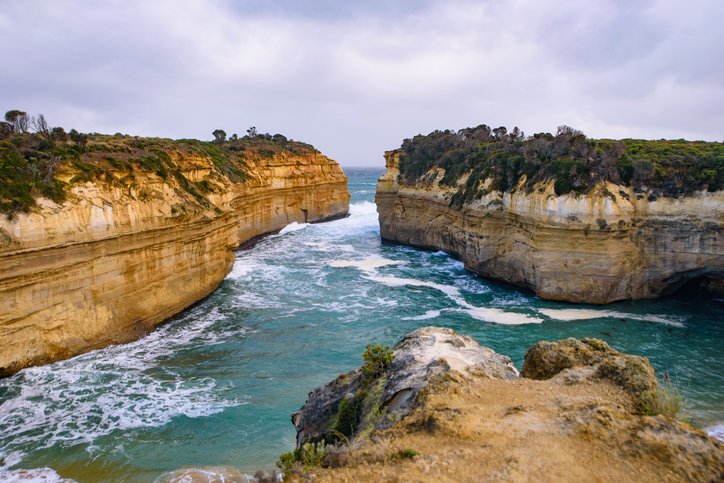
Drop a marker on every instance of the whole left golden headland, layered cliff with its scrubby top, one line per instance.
(144, 228)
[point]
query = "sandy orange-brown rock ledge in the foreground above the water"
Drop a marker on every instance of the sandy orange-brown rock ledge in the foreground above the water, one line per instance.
(574, 415)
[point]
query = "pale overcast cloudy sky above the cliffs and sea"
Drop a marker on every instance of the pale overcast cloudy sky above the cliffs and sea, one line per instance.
(356, 78)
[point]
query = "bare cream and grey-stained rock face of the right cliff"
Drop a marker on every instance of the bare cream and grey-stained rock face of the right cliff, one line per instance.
(611, 244)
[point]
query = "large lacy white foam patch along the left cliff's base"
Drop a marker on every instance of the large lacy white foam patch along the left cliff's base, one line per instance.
(120, 387)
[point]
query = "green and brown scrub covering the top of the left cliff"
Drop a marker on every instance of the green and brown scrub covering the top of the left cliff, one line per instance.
(32, 154)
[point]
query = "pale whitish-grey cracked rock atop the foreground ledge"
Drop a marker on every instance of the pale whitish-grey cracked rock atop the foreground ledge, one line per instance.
(430, 351)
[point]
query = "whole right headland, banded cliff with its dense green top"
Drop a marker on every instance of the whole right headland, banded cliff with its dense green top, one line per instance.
(594, 236)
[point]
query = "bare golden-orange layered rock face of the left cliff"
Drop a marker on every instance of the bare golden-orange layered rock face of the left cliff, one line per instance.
(117, 259)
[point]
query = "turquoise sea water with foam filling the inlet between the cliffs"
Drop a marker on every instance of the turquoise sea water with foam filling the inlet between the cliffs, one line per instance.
(216, 386)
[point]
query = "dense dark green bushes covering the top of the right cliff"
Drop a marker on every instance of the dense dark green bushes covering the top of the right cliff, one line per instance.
(576, 163)
